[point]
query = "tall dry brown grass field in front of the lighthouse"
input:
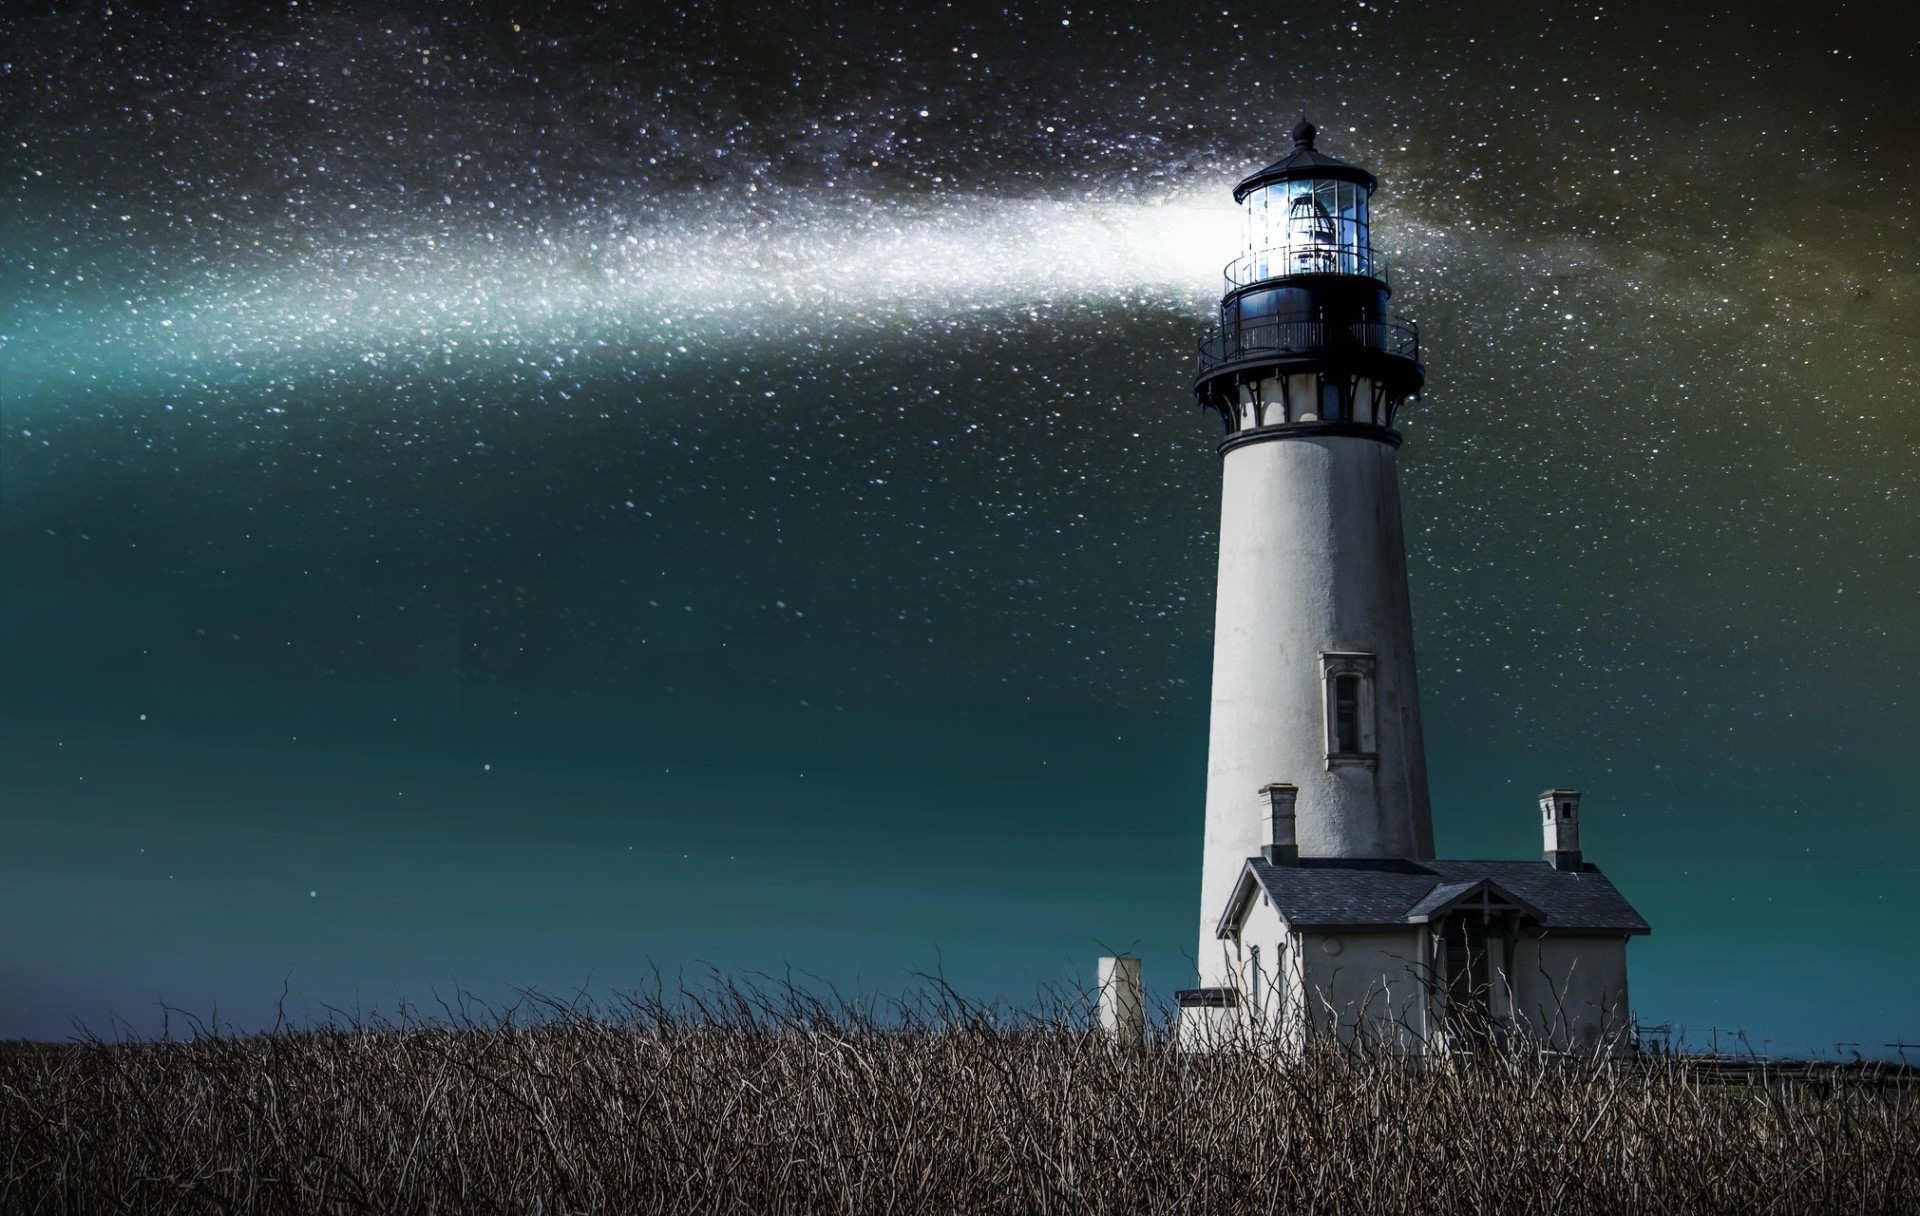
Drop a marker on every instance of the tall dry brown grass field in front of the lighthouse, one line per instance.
(738, 1102)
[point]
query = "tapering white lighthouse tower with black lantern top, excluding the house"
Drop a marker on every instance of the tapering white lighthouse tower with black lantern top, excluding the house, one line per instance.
(1314, 639)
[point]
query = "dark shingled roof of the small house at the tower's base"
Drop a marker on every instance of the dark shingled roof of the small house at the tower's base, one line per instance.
(1360, 894)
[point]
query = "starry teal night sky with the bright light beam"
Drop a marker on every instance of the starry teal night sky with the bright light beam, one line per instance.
(548, 497)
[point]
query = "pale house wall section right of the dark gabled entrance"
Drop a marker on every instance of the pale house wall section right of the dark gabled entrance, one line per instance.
(1572, 990)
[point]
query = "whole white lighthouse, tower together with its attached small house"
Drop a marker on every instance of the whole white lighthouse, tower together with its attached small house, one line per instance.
(1322, 904)
